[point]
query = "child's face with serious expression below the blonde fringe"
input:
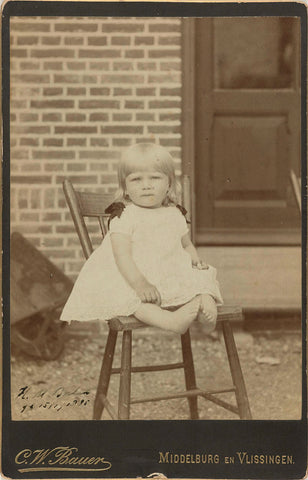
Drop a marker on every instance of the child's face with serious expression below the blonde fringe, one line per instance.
(147, 188)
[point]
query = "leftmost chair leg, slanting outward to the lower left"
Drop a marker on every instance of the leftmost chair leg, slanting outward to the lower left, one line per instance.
(105, 373)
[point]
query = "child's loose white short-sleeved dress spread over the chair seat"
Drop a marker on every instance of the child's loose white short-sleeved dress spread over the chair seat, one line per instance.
(101, 292)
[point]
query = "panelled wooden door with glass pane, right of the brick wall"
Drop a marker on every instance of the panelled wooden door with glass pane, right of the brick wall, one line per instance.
(247, 129)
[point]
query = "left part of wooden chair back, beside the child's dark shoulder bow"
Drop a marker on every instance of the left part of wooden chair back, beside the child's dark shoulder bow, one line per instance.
(86, 204)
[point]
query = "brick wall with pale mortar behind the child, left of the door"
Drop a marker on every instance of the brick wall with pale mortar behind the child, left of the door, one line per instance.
(81, 90)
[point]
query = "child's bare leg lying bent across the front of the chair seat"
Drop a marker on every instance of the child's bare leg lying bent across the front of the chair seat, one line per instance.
(177, 321)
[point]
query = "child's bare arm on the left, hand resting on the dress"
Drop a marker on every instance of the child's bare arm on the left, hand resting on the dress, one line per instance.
(121, 246)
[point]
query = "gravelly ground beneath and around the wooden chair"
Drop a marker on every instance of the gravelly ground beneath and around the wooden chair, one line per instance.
(64, 389)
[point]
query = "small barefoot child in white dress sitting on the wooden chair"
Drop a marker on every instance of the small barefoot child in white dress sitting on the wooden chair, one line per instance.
(146, 265)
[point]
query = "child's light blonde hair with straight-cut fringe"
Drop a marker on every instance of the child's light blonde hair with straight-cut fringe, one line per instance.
(143, 157)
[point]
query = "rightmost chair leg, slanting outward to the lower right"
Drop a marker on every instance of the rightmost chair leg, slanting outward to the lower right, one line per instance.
(236, 372)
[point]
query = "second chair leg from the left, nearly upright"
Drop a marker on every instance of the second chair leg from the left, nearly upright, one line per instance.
(125, 376)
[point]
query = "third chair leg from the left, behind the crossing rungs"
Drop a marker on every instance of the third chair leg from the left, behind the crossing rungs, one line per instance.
(190, 377)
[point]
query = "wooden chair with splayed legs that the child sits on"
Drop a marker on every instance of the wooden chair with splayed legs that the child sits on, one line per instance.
(84, 204)
